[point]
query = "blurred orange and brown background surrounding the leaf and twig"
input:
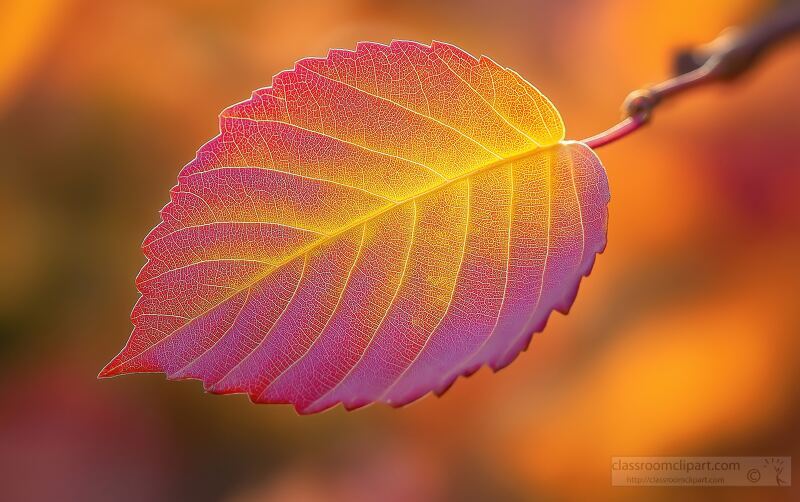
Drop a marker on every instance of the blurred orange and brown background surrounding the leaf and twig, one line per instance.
(683, 341)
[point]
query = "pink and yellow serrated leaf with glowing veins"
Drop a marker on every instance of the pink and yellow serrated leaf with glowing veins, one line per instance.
(369, 228)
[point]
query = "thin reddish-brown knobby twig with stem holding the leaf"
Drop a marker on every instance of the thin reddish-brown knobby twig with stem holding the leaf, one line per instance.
(731, 54)
